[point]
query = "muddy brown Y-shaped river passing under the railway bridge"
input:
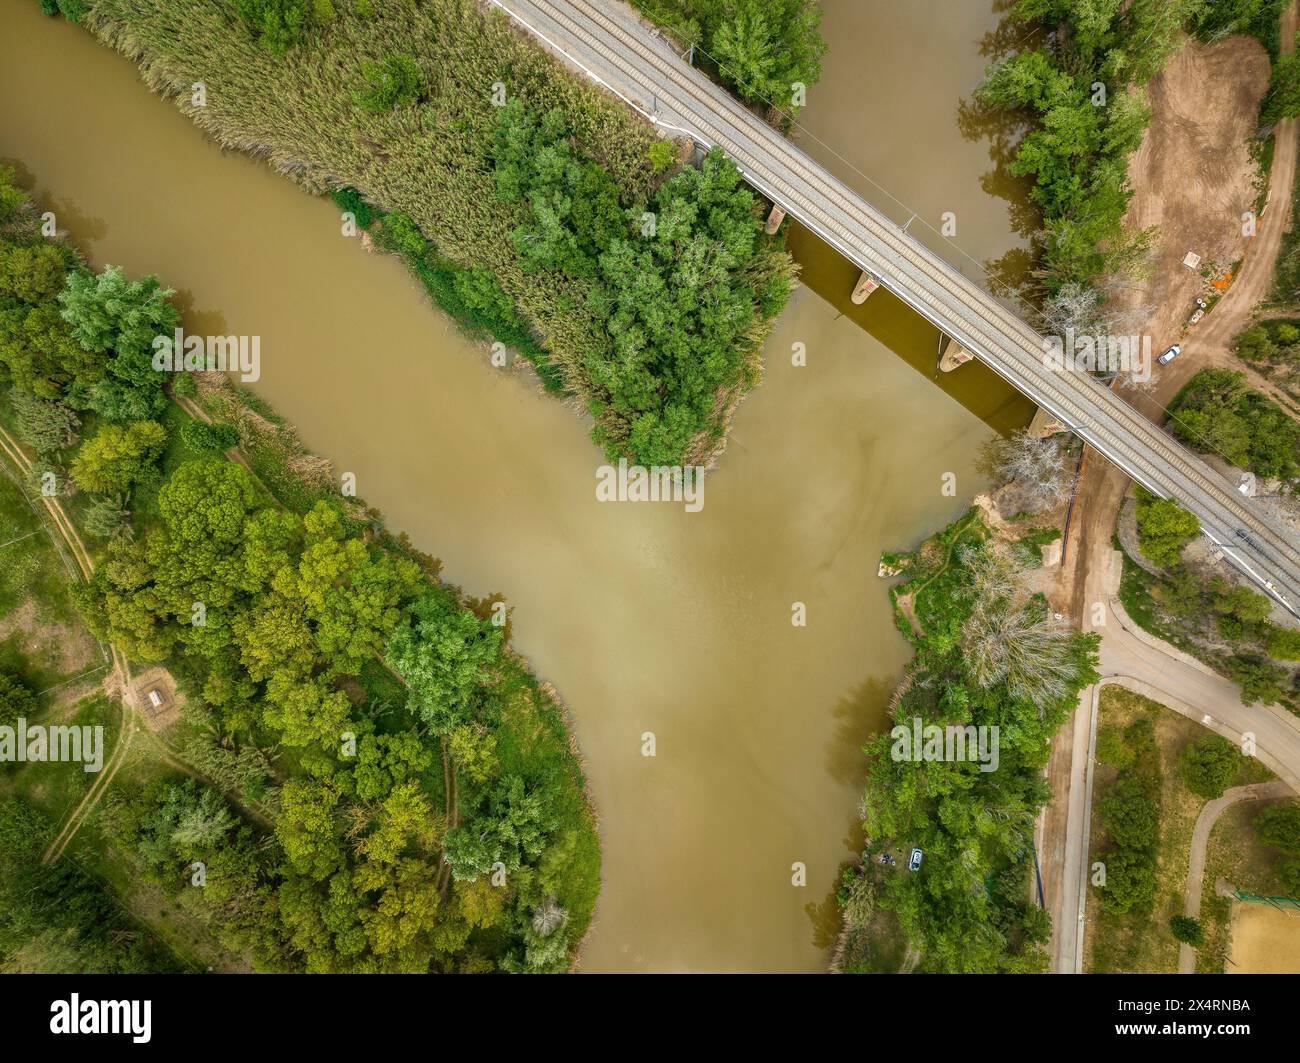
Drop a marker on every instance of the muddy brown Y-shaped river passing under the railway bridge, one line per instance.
(647, 618)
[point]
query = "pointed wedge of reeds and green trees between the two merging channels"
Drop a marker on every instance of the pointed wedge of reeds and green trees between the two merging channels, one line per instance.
(567, 253)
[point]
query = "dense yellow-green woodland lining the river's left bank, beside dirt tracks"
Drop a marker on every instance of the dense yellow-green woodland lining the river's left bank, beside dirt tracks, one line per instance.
(402, 752)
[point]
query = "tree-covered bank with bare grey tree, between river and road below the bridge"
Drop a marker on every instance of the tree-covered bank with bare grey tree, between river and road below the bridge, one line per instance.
(959, 779)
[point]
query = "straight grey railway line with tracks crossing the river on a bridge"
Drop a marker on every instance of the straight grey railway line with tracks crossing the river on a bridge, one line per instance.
(610, 45)
